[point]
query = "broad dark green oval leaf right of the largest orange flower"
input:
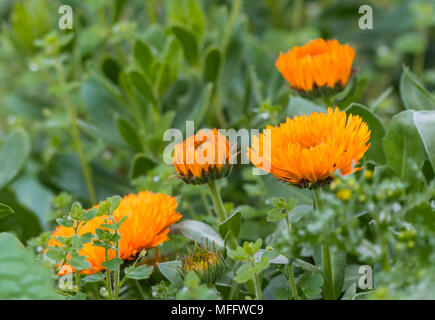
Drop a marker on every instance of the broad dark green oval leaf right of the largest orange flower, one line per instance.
(403, 146)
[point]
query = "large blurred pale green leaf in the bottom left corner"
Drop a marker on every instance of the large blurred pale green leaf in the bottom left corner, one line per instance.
(21, 276)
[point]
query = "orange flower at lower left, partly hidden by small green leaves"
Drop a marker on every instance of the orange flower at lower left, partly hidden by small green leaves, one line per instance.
(149, 216)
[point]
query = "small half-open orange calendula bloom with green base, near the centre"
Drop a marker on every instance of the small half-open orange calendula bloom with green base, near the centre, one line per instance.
(203, 157)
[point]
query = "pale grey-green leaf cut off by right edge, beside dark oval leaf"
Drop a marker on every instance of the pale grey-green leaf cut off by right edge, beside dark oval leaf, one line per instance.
(425, 124)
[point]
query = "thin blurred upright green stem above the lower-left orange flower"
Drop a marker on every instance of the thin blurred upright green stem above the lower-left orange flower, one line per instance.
(75, 133)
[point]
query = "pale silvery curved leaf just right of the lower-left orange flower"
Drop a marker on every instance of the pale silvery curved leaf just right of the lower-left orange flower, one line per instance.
(199, 232)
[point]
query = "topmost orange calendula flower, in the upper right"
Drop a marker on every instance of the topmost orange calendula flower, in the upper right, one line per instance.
(318, 63)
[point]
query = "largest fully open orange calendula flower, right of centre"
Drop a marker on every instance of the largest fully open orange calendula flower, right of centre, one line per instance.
(306, 150)
